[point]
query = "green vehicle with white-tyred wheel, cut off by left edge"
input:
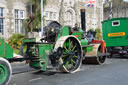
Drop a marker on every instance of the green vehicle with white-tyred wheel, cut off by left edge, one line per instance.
(6, 53)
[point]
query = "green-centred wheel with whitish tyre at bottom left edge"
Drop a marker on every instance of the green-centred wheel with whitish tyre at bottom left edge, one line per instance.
(5, 71)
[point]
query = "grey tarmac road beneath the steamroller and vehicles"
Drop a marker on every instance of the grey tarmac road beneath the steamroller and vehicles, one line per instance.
(114, 72)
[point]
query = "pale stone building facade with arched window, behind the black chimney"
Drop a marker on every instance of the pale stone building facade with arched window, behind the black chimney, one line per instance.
(67, 12)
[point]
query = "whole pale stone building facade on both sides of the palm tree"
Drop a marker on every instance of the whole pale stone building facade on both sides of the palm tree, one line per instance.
(67, 12)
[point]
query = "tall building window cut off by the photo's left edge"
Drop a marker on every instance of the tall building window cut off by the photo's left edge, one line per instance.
(1, 21)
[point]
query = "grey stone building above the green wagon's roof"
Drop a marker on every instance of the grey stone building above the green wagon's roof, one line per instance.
(119, 8)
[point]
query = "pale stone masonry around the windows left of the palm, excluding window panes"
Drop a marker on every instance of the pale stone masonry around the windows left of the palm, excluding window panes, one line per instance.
(9, 14)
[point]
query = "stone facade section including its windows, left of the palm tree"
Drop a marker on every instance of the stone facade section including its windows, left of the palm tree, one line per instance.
(12, 15)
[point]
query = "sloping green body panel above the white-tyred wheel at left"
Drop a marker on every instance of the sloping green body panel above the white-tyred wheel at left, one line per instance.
(5, 50)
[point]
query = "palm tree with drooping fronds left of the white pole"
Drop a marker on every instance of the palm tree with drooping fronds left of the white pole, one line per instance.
(34, 15)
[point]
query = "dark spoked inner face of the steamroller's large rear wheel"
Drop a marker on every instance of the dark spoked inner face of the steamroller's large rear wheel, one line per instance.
(71, 49)
